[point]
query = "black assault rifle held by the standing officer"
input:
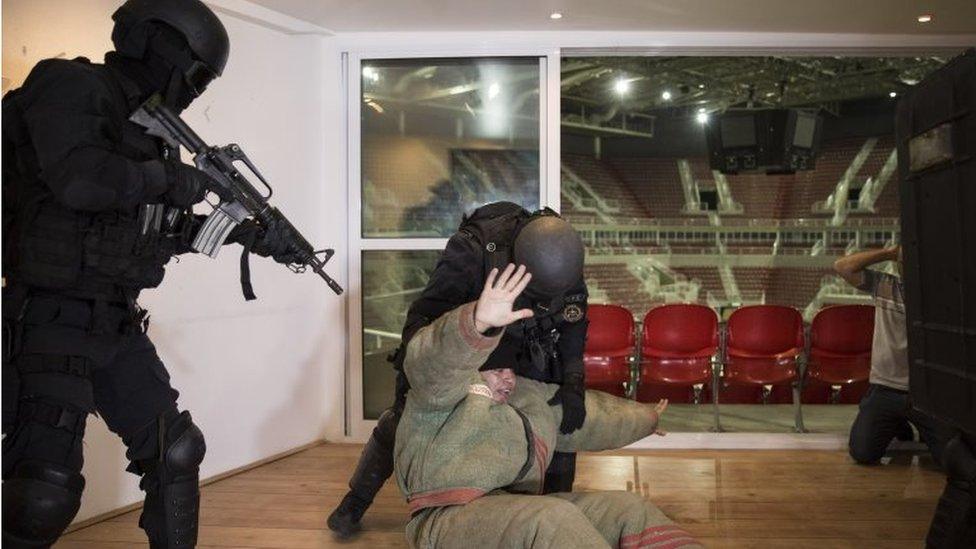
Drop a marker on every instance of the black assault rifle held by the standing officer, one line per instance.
(239, 199)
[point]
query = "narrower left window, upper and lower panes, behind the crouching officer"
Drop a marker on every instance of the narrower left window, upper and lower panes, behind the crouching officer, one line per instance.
(438, 138)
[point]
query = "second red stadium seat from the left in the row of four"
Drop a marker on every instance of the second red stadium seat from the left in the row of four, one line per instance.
(677, 345)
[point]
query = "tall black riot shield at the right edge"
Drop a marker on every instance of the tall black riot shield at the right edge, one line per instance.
(936, 135)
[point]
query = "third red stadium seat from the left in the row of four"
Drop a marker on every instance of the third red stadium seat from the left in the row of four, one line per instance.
(763, 344)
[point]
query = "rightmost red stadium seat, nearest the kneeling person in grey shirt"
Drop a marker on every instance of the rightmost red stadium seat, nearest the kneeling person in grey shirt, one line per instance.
(840, 345)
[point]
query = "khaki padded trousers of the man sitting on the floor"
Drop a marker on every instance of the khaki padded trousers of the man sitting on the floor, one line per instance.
(564, 520)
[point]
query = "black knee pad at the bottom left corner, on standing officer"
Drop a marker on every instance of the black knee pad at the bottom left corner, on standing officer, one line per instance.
(39, 501)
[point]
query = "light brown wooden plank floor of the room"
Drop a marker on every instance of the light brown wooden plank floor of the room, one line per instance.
(792, 499)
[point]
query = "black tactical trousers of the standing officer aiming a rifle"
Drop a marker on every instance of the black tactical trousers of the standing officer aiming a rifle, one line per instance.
(66, 358)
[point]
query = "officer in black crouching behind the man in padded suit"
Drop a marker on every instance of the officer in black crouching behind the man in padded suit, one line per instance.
(547, 347)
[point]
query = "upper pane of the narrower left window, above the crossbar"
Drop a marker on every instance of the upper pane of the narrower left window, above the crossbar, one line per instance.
(443, 136)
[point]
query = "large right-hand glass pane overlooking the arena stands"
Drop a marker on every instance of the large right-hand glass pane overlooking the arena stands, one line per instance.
(620, 178)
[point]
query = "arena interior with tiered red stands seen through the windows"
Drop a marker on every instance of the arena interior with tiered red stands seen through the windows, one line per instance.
(660, 226)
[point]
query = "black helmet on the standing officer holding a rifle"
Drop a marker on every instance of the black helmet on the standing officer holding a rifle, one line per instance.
(204, 34)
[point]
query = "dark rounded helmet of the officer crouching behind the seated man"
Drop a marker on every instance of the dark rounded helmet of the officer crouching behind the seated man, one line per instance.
(551, 250)
